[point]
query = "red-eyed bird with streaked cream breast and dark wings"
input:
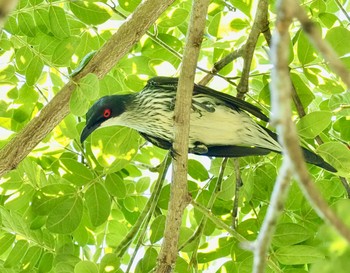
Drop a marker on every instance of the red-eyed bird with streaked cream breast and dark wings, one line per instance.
(220, 125)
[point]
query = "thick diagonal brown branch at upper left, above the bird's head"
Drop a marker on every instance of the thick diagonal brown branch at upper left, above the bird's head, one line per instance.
(51, 115)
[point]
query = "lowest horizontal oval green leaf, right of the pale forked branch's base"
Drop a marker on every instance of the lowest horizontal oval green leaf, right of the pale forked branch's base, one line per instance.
(298, 254)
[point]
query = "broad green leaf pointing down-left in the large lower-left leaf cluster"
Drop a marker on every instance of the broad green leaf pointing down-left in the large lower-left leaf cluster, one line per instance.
(66, 217)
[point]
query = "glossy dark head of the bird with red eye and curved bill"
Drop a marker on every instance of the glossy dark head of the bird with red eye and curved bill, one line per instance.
(104, 112)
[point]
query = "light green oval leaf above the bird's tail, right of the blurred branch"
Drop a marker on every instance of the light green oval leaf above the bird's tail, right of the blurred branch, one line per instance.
(314, 123)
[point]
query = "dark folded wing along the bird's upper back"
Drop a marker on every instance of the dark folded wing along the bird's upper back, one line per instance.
(230, 101)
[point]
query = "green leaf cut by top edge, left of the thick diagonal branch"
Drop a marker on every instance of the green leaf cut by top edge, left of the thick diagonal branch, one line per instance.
(90, 12)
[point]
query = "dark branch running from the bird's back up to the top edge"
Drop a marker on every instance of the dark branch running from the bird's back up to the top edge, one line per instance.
(260, 25)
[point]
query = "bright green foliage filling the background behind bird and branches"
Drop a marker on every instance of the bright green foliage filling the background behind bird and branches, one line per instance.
(68, 208)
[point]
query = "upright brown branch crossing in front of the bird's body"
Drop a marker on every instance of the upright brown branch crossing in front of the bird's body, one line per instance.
(179, 197)
